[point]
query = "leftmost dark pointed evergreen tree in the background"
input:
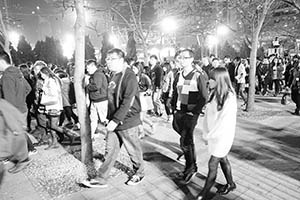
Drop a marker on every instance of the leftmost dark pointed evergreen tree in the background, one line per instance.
(24, 51)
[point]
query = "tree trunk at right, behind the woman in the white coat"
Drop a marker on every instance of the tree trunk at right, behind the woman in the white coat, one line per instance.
(253, 55)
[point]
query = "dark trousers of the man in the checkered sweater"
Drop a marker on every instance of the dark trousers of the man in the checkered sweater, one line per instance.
(184, 124)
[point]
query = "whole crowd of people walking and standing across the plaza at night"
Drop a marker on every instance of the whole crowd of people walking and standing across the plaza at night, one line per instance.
(121, 94)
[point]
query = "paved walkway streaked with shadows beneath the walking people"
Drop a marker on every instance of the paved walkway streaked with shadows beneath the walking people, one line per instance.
(265, 160)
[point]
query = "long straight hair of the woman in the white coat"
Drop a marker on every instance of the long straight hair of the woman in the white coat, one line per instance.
(223, 86)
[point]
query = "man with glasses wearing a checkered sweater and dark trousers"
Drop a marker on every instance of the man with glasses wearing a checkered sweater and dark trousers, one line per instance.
(189, 97)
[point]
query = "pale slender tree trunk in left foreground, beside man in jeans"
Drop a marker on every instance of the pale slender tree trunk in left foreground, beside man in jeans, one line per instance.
(86, 142)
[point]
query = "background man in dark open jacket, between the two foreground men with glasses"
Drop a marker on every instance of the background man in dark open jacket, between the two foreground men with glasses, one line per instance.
(157, 78)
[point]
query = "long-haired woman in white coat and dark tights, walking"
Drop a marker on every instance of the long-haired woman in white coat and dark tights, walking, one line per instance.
(219, 129)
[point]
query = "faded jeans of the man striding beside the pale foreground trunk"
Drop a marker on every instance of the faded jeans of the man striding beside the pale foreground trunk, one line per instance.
(114, 141)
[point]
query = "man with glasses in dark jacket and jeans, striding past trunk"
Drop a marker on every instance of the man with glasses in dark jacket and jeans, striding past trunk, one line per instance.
(124, 118)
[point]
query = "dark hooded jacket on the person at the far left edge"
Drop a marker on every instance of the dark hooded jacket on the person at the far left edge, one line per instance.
(14, 88)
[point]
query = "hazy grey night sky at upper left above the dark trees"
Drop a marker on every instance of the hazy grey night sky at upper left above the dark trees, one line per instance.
(37, 18)
